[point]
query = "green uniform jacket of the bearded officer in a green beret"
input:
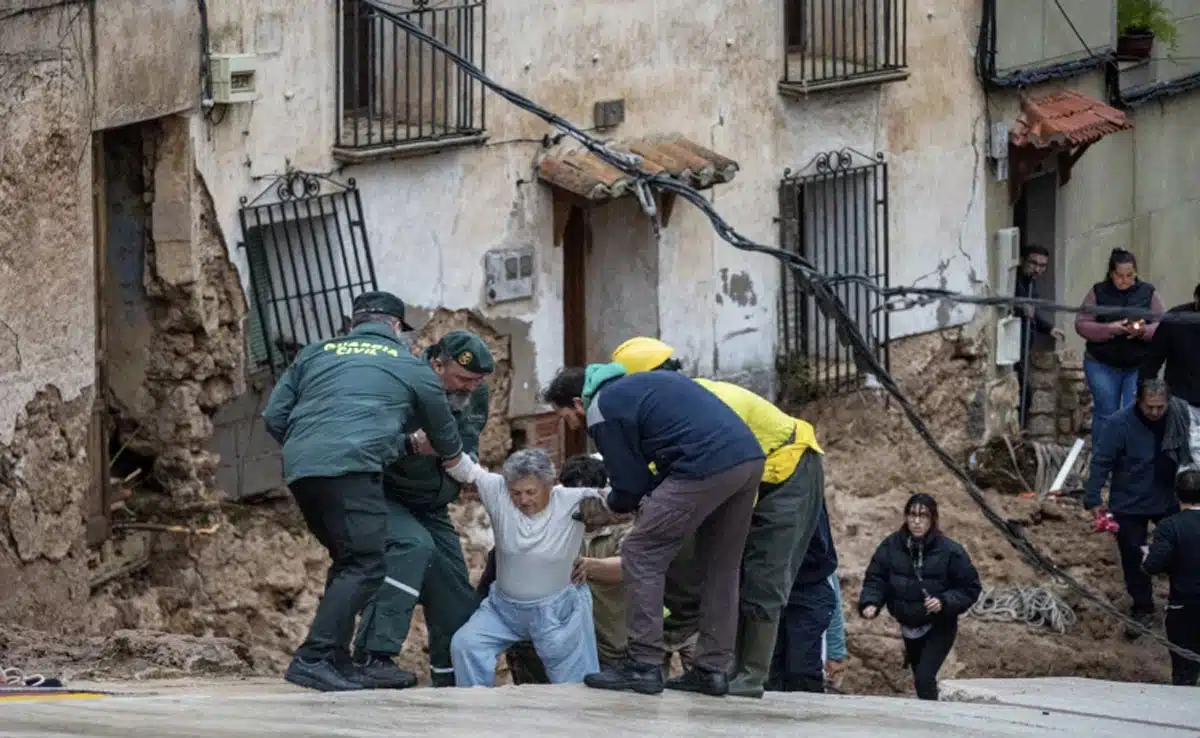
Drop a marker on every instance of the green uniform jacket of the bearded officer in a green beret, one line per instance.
(418, 482)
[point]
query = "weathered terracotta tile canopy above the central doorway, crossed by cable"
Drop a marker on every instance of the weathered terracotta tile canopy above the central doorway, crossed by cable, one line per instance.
(583, 173)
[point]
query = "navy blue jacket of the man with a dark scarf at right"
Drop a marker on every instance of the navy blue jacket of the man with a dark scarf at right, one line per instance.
(1131, 452)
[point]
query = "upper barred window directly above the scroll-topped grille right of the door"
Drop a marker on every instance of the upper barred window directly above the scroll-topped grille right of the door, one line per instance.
(835, 44)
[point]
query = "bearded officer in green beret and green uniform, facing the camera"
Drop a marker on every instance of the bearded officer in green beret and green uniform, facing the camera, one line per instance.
(423, 555)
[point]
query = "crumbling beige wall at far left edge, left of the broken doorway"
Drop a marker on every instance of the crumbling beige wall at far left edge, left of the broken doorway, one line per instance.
(47, 313)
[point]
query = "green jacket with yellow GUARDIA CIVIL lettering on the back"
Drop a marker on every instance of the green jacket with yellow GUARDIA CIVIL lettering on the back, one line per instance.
(344, 406)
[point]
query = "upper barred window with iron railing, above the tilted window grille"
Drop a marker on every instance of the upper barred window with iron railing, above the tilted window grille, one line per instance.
(399, 92)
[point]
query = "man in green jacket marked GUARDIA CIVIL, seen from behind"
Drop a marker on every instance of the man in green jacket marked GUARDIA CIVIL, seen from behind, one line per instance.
(341, 412)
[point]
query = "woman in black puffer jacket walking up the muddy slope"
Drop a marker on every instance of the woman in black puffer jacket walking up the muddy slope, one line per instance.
(926, 581)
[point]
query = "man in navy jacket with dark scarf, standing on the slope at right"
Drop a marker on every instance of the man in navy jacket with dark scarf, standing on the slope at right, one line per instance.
(1131, 453)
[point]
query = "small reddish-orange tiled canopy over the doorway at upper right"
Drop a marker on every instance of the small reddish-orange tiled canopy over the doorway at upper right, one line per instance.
(1065, 119)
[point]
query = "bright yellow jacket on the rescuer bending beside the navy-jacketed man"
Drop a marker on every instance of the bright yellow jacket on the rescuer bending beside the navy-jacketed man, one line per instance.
(784, 440)
